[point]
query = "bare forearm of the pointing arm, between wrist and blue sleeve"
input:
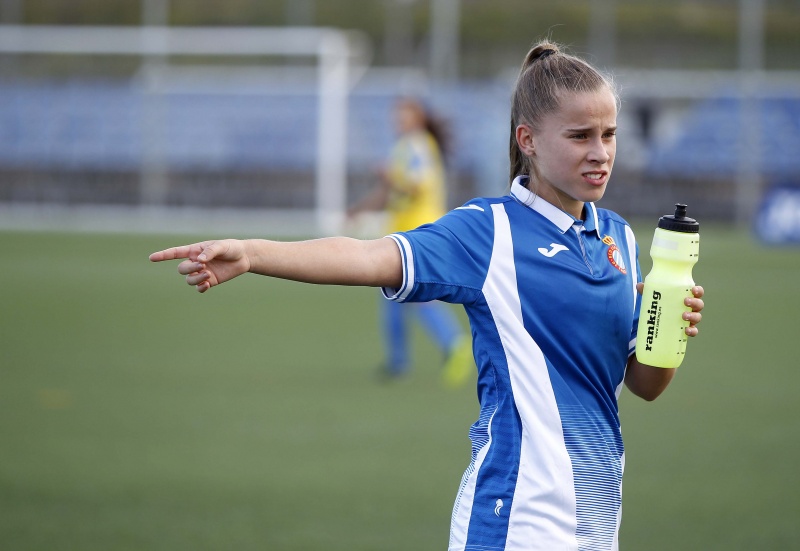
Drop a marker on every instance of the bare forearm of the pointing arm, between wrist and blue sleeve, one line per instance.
(333, 260)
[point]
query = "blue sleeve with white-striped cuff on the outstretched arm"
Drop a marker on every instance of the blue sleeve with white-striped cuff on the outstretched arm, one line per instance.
(448, 259)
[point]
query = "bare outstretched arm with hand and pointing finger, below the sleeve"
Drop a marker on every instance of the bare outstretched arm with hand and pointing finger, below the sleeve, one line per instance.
(333, 260)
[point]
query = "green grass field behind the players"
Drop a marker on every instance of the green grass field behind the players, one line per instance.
(136, 414)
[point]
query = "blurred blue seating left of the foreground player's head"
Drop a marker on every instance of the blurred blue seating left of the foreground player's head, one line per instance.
(100, 125)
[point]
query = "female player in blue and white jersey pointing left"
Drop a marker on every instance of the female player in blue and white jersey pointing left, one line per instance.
(553, 314)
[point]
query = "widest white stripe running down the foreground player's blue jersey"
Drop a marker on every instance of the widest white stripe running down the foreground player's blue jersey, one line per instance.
(545, 476)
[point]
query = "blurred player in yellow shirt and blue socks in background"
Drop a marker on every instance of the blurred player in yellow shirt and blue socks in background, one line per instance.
(412, 189)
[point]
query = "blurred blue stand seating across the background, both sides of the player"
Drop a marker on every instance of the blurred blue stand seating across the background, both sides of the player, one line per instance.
(66, 129)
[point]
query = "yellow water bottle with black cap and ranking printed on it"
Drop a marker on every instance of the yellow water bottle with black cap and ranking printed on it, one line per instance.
(661, 341)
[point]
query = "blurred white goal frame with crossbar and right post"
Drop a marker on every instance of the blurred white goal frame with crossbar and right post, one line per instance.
(341, 57)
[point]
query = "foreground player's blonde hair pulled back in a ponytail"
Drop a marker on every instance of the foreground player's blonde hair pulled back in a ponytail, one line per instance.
(546, 74)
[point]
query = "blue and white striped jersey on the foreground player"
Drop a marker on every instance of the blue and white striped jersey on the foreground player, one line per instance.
(552, 304)
